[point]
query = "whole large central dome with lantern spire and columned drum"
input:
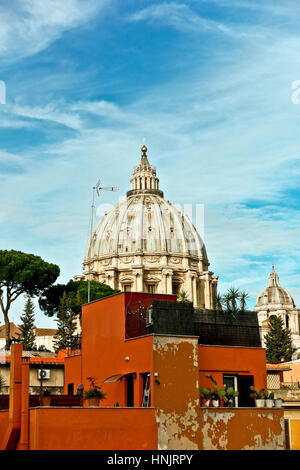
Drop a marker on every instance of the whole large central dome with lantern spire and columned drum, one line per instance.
(146, 244)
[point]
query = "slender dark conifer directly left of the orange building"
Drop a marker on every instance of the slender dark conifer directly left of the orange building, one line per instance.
(66, 326)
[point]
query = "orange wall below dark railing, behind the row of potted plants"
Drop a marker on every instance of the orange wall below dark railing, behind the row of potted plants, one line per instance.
(217, 360)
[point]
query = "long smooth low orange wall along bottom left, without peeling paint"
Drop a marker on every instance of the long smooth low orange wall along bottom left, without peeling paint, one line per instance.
(92, 429)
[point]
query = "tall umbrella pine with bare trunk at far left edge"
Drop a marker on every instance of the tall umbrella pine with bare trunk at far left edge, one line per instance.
(22, 273)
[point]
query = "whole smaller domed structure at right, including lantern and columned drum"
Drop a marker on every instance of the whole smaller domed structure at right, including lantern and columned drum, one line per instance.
(275, 300)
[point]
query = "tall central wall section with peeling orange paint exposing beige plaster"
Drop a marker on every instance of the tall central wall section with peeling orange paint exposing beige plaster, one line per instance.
(177, 395)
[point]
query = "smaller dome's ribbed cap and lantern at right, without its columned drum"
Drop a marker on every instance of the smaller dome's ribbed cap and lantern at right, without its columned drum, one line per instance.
(274, 294)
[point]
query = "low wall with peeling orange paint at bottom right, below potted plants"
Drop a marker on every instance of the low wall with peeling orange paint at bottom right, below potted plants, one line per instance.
(242, 429)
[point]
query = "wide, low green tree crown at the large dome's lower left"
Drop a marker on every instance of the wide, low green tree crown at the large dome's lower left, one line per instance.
(77, 293)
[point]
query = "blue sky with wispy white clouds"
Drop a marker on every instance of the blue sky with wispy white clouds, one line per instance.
(212, 85)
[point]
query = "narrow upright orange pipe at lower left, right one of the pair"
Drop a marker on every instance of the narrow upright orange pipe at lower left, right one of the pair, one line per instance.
(24, 437)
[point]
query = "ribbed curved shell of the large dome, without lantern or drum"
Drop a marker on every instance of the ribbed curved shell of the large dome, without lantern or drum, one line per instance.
(146, 223)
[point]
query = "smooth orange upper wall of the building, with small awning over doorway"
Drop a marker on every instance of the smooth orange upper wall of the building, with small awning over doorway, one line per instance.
(104, 347)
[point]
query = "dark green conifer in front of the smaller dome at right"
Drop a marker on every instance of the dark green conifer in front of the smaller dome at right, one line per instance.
(278, 341)
